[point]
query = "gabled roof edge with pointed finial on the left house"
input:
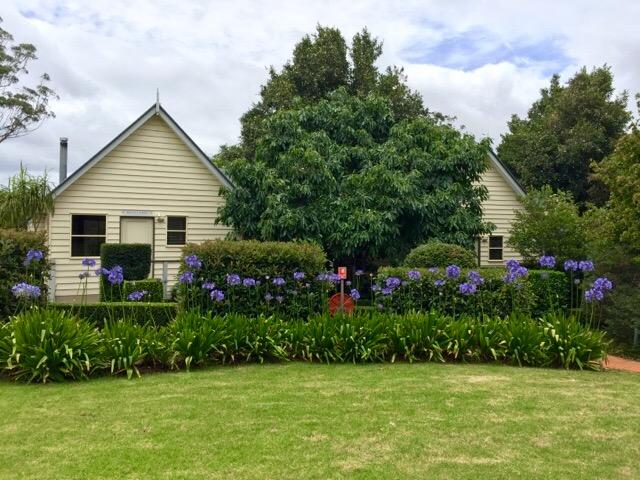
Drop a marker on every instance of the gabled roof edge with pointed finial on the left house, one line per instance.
(155, 109)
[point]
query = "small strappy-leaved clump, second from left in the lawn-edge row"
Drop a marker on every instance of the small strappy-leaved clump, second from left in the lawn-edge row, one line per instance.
(124, 347)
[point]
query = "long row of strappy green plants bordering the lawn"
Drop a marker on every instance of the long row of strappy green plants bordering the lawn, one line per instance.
(50, 346)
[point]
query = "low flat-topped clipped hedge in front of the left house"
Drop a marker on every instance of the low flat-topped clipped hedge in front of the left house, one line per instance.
(157, 314)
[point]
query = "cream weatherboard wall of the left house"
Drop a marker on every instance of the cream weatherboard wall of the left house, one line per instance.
(152, 172)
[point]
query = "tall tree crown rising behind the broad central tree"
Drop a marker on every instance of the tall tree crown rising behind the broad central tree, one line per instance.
(321, 63)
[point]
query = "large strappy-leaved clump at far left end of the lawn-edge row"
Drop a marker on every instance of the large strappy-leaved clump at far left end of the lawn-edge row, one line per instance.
(49, 345)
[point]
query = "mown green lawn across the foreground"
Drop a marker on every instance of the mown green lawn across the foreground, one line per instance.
(317, 421)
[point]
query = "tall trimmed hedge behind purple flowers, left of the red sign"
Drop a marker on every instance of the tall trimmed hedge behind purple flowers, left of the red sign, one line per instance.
(261, 263)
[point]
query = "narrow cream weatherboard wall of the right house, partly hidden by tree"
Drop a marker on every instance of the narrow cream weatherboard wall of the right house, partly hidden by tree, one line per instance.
(498, 209)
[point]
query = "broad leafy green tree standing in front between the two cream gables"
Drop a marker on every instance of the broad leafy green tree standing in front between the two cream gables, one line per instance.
(343, 171)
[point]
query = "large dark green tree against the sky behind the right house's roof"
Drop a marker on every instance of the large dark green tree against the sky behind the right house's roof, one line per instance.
(566, 129)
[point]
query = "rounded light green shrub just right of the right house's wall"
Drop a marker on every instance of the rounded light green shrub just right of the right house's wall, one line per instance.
(548, 224)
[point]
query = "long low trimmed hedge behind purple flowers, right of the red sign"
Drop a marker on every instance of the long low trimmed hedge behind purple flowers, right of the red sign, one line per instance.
(540, 292)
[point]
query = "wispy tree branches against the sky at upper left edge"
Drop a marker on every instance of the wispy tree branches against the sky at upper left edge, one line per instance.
(22, 108)
